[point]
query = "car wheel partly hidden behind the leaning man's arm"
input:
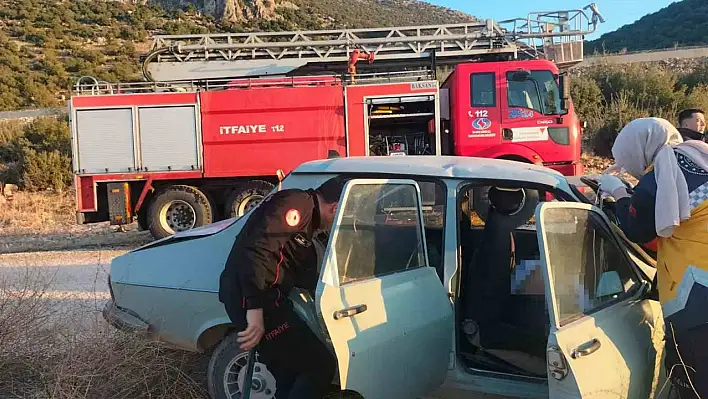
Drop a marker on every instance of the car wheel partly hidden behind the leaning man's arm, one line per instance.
(227, 370)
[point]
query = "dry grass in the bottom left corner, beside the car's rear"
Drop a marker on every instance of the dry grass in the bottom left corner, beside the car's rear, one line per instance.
(43, 354)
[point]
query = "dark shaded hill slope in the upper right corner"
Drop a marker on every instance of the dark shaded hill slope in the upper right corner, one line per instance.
(683, 23)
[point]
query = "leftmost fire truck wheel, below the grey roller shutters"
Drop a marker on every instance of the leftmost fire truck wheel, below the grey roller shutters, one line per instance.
(178, 208)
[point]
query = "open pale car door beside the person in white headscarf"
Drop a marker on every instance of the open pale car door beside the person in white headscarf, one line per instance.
(602, 325)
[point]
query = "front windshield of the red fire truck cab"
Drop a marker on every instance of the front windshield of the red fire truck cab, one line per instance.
(539, 93)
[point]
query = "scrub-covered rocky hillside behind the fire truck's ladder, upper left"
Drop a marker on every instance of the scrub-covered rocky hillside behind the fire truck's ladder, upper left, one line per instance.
(45, 45)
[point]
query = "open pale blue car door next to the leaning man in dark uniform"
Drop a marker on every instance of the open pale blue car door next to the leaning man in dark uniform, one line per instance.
(385, 310)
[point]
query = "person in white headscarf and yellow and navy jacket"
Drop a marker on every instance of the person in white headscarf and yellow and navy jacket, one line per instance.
(670, 204)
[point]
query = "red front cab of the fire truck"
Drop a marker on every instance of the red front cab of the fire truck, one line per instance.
(519, 110)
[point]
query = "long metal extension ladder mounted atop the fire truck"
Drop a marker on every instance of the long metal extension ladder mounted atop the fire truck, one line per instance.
(554, 35)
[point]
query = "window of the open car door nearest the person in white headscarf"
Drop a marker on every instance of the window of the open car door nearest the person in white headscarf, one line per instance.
(589, 271)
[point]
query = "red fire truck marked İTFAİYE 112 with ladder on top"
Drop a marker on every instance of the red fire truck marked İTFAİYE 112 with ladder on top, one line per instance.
(222, 116)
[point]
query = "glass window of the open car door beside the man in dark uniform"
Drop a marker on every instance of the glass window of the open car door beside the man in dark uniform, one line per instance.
(380, 232)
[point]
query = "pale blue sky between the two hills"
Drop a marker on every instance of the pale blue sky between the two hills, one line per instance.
(615, 12)
